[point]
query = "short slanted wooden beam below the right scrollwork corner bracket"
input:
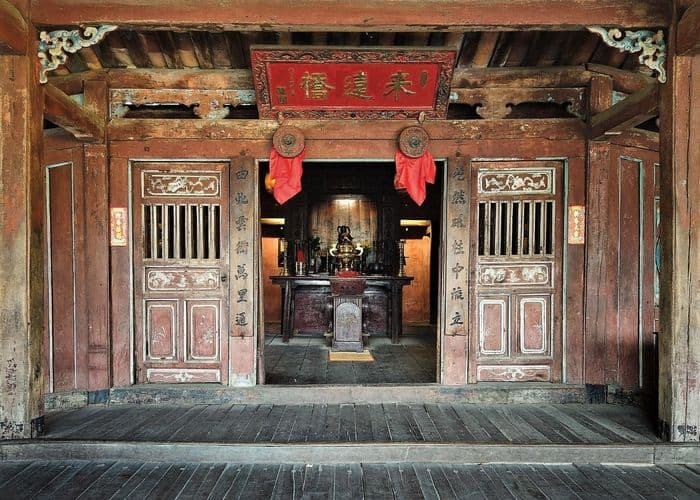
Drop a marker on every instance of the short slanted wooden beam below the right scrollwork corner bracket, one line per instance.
(624, 115)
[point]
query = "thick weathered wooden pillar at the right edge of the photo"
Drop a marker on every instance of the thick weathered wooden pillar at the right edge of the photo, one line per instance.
(679, 336)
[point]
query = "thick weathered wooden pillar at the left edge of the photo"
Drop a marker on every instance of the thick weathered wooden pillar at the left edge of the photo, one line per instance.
(21, 246)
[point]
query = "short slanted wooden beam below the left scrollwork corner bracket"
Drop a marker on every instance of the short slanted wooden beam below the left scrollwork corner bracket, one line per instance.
(82, 122)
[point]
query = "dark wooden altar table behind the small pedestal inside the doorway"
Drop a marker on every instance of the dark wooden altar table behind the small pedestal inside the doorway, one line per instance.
(307, 304)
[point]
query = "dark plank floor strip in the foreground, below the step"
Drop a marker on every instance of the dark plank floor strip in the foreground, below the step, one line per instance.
(65, 479)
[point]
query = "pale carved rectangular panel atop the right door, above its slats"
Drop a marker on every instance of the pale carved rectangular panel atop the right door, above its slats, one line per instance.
(516, 181)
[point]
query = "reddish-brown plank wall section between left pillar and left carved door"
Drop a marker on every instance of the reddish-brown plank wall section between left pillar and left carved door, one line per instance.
(77, 335)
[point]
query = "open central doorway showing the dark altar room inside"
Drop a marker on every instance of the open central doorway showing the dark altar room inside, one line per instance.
(393, 236)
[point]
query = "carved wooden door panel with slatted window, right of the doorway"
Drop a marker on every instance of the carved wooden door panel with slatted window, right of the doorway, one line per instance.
(516, 269)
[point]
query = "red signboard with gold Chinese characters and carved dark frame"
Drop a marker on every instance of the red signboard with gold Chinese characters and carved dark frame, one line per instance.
(351, 83)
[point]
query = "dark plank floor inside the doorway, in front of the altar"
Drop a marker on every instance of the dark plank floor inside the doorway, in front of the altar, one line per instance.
(304, 360)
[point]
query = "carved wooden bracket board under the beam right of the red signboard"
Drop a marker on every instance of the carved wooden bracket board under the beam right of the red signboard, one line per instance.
(497, 103)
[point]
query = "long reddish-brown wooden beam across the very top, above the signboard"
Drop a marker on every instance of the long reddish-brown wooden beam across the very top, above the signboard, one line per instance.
(350, 15)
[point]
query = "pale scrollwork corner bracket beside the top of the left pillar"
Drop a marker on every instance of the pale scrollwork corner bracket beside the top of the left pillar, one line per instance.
(55, 46)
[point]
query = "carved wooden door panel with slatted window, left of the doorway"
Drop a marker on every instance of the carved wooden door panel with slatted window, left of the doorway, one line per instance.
(181, 267)
